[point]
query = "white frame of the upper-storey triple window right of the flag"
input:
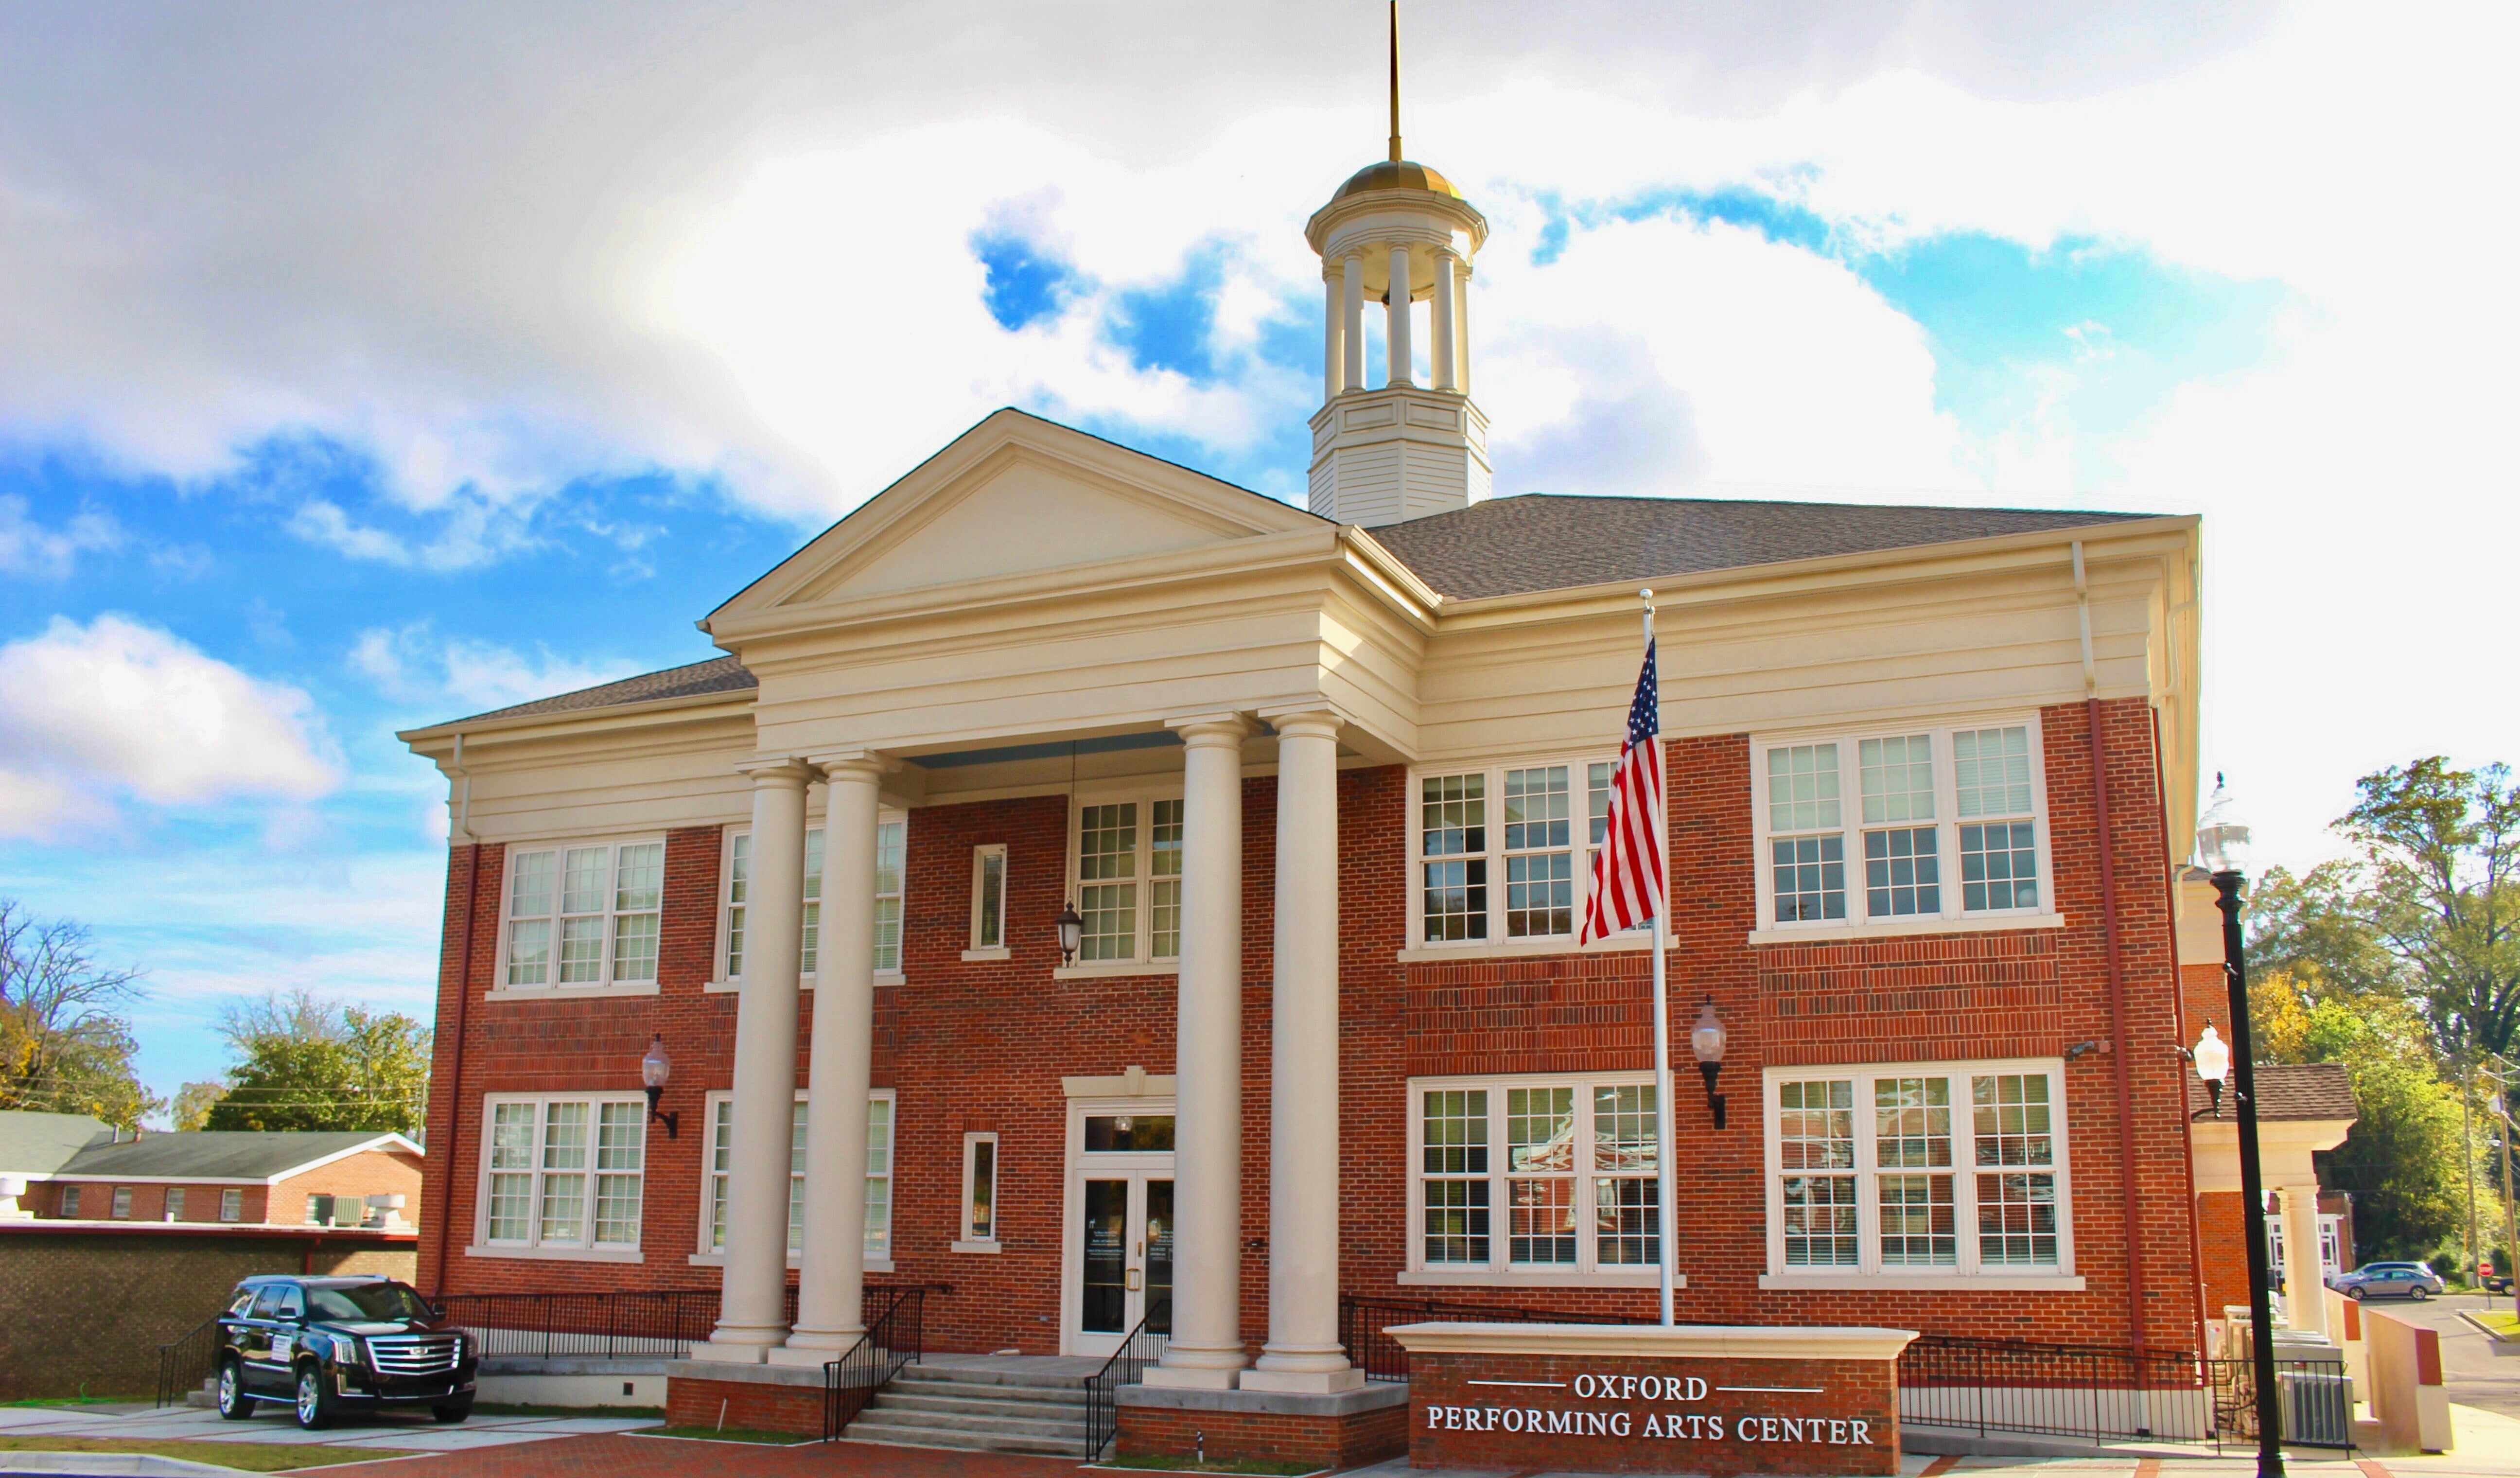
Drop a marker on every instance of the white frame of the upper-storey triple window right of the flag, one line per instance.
(1947, 826)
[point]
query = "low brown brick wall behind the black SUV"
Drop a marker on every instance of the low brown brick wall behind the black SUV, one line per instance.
(84, 1313)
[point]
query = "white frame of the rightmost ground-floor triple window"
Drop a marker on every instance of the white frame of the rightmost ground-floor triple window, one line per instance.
(1964, 1189)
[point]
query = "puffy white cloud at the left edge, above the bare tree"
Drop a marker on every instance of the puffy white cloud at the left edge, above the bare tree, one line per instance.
(117, 710)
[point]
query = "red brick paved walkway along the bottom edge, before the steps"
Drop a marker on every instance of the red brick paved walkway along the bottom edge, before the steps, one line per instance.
(621, 1457)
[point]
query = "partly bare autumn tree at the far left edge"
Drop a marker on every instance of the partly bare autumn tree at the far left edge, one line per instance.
(64, 1030)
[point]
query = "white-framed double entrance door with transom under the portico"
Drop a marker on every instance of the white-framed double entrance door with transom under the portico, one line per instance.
(1120, 1227)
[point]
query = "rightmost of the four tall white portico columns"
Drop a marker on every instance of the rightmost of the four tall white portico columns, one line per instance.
(1302, 1353)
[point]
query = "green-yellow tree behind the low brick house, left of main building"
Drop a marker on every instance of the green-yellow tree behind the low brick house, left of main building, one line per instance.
(321, 1066)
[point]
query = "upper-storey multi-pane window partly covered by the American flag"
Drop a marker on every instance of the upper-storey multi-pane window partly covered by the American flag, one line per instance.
(1528, 829)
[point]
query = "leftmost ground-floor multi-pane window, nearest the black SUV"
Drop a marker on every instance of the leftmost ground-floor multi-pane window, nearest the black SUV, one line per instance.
(566, 1172)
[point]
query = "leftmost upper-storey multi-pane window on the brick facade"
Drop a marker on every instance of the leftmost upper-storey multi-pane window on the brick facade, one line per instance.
(583, 917)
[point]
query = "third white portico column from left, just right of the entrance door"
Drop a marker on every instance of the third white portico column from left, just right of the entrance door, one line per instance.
(1206, 1348)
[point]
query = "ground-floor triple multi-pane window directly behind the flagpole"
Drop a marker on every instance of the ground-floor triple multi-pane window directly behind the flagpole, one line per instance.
(1574, 1167)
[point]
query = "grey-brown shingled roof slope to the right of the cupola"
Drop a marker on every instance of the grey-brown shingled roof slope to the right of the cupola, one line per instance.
(1541, 541)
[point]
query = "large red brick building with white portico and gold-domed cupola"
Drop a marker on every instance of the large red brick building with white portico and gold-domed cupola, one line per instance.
(1322, 793)
